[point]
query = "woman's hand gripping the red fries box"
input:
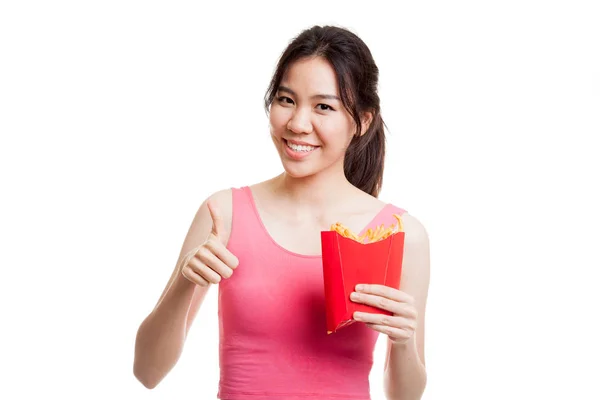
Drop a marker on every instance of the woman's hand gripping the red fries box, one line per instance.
(400, 327)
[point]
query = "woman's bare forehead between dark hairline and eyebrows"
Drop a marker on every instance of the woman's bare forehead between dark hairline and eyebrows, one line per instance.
(311, 75)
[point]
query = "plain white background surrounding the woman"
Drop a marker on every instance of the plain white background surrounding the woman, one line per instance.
(118, 118)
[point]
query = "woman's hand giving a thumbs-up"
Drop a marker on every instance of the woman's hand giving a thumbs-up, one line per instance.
(211, 261)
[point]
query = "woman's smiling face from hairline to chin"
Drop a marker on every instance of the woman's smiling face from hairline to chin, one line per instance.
(309, 125)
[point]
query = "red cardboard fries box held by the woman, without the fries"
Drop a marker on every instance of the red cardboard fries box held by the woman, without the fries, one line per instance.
(346, 263)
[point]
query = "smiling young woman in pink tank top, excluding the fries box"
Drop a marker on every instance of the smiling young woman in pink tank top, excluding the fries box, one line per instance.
(261, 245)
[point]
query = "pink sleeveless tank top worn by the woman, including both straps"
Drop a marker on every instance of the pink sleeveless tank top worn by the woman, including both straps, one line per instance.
(273, 342)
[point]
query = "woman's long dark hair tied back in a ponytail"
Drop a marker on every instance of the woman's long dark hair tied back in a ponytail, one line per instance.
(357, 78)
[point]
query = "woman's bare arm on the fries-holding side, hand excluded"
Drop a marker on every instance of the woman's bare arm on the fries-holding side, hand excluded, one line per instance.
(405, 374)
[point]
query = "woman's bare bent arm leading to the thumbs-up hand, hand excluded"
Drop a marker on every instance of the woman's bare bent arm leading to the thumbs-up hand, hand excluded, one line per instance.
(161, 336)
